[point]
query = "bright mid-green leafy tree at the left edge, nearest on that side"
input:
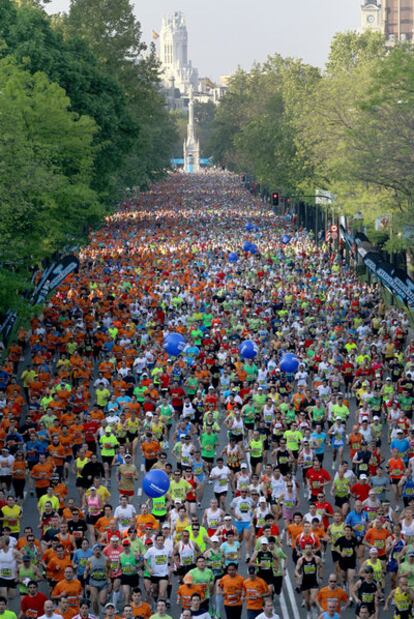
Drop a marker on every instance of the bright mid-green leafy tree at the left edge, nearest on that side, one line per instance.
(46, 165)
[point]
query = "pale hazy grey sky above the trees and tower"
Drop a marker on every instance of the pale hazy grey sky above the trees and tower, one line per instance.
(223, 34)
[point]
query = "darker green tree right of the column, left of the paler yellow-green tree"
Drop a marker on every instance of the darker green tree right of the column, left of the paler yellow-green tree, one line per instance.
(255, 130)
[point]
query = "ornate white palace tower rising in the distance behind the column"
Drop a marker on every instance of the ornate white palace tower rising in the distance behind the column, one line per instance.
(174, 54)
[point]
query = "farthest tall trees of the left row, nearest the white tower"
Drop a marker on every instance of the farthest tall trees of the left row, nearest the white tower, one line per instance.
(111, 30)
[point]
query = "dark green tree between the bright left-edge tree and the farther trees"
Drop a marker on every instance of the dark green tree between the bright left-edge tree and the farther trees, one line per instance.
(28, 34)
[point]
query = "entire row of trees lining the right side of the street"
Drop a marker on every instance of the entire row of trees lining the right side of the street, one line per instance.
(349, 129)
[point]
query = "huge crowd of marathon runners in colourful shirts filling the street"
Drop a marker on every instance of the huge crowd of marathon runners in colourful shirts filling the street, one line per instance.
(271, 474)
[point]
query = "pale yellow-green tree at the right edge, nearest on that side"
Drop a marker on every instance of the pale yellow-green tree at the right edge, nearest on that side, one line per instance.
(358, 127)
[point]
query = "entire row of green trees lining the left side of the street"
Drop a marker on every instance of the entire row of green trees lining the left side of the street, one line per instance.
(81, 119)
